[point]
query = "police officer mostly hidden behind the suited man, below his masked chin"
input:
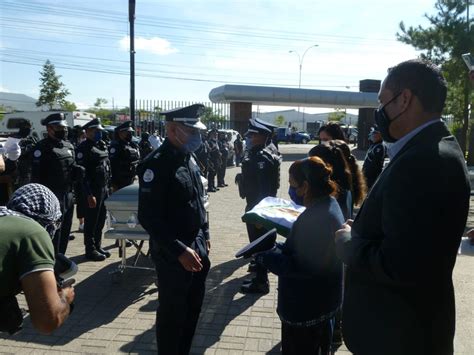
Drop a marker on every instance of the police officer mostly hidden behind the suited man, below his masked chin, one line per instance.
(373, 162)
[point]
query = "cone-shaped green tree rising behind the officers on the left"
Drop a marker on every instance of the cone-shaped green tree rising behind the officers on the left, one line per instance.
(52, 90)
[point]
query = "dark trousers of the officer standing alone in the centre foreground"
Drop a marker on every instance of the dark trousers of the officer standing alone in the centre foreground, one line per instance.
(180, 299)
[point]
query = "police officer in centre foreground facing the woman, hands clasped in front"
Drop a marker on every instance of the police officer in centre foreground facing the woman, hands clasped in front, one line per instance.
(171, 209)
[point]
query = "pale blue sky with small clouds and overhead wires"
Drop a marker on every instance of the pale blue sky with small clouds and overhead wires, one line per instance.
(184, 49)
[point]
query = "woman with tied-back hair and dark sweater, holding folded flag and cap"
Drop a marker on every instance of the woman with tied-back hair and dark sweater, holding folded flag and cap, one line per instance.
(309, 273)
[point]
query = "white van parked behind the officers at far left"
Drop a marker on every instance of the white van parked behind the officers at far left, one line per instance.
(11, 121)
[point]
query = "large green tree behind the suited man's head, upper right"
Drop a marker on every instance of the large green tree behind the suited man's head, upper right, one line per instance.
(448, 36)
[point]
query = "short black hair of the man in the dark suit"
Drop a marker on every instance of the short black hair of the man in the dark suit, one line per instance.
(423, 79)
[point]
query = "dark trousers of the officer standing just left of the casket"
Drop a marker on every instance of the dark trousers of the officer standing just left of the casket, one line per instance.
(94, 221)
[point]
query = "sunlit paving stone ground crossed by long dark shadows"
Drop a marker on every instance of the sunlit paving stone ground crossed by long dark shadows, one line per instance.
(119, 317)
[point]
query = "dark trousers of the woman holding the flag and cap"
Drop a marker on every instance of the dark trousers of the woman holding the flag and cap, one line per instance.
(314, 340)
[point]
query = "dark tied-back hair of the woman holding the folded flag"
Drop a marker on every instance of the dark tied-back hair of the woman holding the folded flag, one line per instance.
(318, 175)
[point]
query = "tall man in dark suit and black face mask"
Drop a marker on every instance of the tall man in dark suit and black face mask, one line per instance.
(401, 249)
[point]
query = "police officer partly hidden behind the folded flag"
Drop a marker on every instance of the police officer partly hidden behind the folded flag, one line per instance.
(260, 178)
